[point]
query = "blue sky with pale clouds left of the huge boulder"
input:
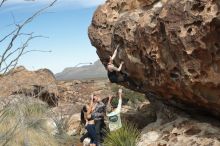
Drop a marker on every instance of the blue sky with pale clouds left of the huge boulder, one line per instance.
(65, 24)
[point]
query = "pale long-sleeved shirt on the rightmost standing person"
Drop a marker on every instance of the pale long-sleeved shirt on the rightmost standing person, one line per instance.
(114, 117)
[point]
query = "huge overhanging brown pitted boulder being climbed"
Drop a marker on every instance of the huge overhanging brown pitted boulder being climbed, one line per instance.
(170, 47)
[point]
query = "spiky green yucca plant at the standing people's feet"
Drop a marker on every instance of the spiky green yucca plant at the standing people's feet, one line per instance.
(128, 135)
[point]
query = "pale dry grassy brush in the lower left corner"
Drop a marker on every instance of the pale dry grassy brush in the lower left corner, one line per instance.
(26, 122)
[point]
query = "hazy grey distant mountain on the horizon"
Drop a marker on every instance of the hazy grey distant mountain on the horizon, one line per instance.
(94, 71)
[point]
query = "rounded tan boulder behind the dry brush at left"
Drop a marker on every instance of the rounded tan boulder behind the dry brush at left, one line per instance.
(40, 84)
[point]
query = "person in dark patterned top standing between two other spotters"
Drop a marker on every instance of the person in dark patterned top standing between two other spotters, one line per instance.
(98, 114)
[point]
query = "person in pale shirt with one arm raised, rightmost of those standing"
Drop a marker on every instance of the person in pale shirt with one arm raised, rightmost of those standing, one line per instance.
(113, 113)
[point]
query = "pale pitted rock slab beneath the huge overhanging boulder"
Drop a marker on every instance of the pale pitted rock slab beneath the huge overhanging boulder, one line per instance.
(173, 127)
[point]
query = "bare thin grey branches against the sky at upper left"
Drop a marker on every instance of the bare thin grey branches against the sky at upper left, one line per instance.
(16, 33)
